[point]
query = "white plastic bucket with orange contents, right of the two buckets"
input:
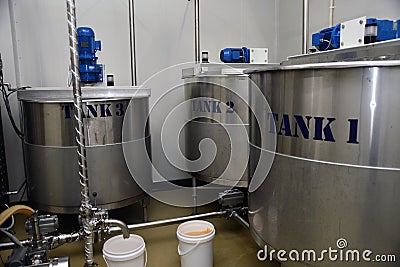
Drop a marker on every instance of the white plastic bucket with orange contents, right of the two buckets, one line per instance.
(196, 243)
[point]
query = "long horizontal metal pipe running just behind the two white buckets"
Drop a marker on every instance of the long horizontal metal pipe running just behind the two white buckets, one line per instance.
(139, 226)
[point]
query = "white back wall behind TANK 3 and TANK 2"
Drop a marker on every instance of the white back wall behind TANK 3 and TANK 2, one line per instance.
(164, 38)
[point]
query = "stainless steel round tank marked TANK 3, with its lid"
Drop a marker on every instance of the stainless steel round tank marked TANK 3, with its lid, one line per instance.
(50, 148)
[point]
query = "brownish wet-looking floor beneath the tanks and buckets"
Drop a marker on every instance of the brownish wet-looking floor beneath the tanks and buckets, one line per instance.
(233, 245)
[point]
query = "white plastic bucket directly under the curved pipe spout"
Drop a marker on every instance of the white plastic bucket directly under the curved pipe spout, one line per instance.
(120, 252)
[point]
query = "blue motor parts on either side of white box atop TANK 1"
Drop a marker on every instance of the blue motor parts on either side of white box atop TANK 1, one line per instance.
(375, 31)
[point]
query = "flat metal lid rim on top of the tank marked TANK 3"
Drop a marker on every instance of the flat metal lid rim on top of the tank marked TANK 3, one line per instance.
(64, 94)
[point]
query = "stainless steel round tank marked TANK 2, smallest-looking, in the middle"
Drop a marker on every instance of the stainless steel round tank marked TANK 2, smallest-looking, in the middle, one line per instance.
(219, 102)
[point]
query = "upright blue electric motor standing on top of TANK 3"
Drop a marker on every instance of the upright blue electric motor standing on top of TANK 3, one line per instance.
(91, 72)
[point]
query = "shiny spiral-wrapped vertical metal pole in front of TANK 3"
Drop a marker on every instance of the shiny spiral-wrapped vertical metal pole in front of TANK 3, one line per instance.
(86, 207)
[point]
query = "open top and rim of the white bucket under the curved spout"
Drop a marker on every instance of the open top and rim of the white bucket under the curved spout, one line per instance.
(118, 246)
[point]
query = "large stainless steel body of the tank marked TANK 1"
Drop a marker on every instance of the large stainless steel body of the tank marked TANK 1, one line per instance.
(336, 172)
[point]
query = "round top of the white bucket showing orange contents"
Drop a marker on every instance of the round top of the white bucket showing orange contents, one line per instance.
(195, 230)
